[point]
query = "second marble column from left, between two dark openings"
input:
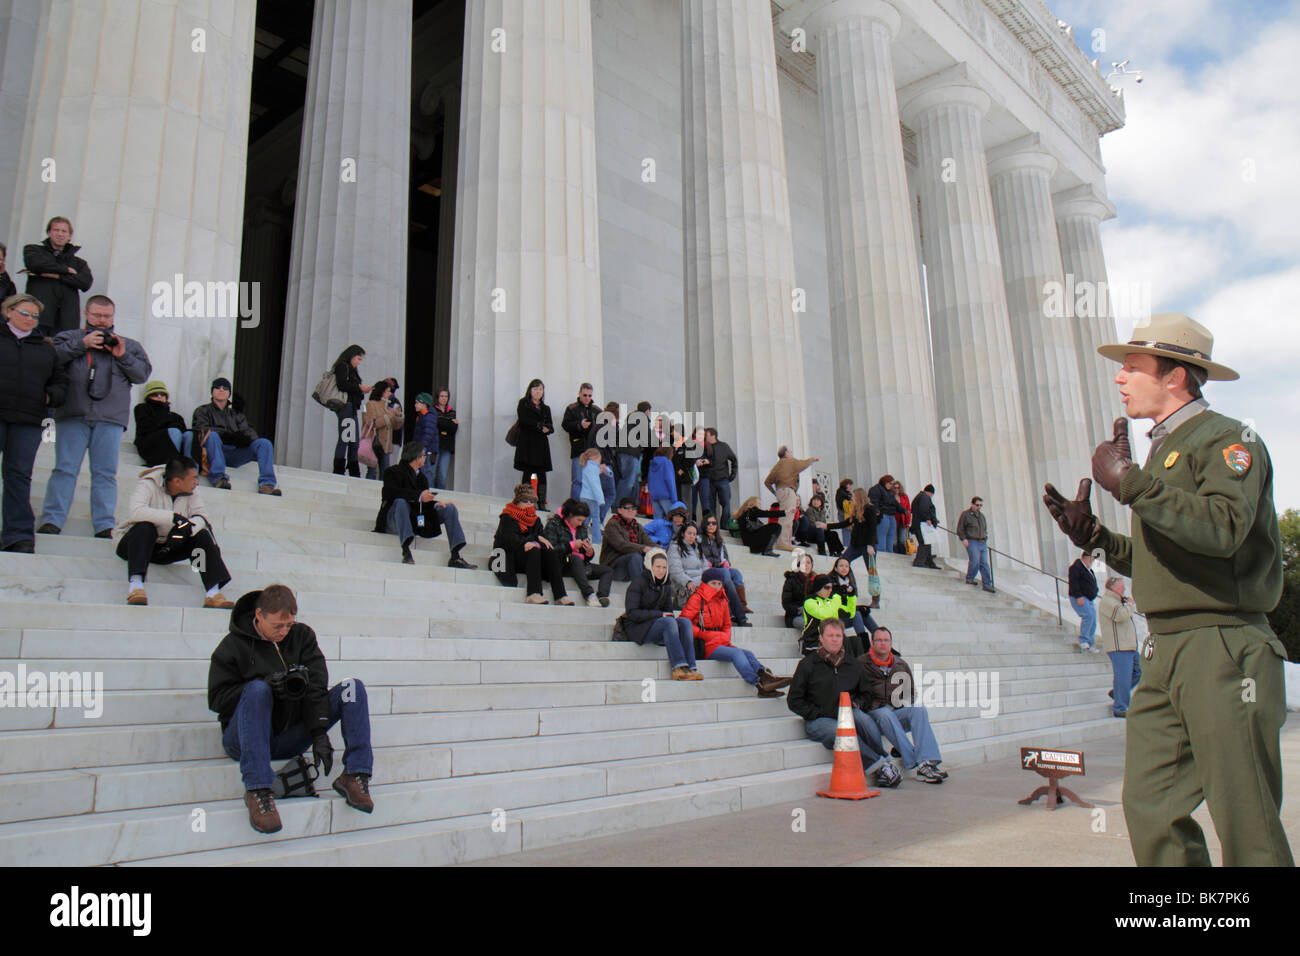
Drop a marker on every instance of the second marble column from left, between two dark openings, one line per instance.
(348, 272)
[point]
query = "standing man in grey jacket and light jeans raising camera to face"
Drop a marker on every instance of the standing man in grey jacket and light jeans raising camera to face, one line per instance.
(102, 369)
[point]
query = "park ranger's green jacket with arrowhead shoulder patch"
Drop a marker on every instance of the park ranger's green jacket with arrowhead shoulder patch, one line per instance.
(1206, 548)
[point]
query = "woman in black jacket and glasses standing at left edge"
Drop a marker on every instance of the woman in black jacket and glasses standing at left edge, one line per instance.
(32, 378)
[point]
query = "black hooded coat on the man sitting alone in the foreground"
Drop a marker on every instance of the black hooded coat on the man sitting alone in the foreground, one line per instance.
(244, 656)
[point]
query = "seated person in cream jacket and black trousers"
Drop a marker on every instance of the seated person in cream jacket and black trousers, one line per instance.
(167, 524)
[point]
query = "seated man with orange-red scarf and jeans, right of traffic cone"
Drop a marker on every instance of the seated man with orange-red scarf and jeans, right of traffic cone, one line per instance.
(890, 704)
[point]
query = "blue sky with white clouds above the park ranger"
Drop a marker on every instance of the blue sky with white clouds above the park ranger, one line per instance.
(1206, 179)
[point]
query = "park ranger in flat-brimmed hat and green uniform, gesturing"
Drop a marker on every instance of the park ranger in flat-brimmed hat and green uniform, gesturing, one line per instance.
(1206, 560)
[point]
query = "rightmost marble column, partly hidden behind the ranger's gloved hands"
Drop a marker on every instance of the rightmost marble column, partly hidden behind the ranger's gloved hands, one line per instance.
(1080, 214)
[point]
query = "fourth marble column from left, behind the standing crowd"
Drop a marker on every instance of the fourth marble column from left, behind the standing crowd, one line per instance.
(743, 344)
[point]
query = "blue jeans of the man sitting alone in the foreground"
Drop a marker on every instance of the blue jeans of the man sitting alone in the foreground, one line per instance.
(249, 737)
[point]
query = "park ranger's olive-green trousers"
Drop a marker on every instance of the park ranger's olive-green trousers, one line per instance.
(1204, 725)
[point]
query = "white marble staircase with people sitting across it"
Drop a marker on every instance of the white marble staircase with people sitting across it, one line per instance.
(499, 726)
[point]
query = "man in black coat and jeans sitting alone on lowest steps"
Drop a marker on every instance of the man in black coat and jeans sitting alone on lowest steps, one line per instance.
(268, 686)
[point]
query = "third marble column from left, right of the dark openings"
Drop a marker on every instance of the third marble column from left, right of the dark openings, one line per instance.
(527, 295)
